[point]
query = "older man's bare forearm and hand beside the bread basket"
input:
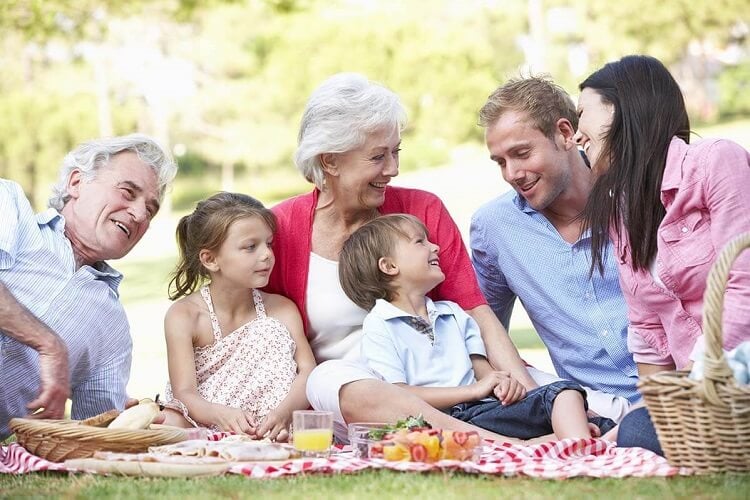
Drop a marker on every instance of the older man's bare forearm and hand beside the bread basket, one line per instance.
(20, 324)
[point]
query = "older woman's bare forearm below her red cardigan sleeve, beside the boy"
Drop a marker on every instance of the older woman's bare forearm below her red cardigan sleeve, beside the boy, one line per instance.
(501, 352)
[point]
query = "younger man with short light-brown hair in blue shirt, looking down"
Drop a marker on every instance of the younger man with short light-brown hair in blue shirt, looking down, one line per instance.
(528, 244)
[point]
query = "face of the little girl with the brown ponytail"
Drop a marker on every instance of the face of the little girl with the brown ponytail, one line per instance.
(246, 258)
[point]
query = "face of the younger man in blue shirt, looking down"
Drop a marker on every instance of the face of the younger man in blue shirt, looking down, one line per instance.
(536, 166)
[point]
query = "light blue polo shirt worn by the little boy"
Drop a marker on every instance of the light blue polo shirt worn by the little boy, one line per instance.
(403, 355)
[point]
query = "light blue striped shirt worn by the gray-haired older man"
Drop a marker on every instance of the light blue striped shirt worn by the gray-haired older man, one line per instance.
(82, 306)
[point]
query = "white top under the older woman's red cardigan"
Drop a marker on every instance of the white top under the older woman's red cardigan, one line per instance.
(335, 321)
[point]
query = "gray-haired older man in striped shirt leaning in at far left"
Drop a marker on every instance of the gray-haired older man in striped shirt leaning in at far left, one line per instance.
(64, 332)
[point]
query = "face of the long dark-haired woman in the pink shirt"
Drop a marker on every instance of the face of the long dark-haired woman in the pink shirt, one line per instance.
(594, 120)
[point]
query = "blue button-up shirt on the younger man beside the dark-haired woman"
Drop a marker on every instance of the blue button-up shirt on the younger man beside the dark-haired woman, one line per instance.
(583, 322)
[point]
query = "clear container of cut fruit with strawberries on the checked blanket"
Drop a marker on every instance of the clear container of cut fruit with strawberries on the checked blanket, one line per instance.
(414, 440)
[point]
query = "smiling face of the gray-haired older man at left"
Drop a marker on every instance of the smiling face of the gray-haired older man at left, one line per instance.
(107, 215)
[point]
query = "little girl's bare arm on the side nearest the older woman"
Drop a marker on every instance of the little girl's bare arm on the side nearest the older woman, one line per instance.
(276, 424)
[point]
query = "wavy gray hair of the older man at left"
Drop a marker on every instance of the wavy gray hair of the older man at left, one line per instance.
(90, 156)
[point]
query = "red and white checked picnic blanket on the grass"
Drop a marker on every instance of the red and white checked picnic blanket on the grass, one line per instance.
(554, 460)
